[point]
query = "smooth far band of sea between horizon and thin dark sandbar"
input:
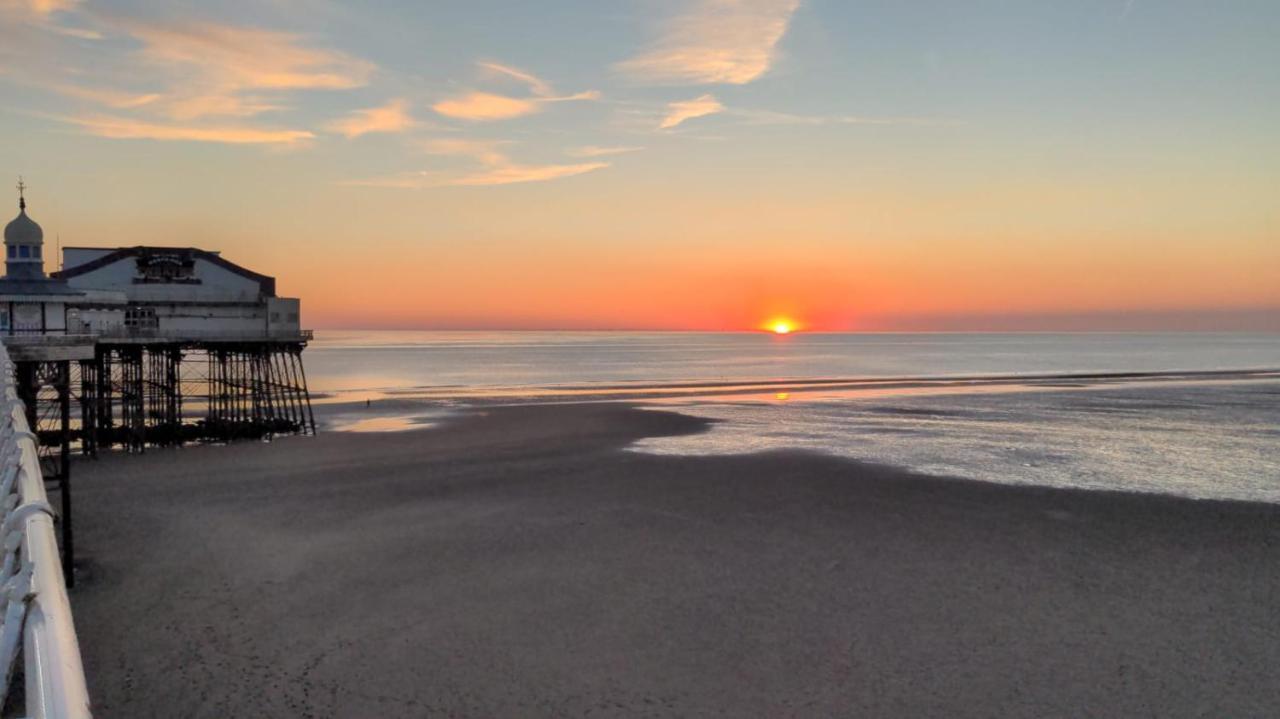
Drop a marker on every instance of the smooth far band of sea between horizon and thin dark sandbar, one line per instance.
(356, 365)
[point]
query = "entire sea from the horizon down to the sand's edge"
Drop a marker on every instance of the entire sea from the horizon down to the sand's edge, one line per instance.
(1187, 414)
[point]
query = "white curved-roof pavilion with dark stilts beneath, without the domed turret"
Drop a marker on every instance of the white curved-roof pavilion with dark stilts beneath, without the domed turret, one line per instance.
(189, 346)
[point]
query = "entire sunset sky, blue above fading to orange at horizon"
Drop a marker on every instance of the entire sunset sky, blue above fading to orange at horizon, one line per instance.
(661, 164)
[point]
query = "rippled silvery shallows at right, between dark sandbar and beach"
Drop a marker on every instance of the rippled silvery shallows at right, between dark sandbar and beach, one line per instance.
(1212, 441)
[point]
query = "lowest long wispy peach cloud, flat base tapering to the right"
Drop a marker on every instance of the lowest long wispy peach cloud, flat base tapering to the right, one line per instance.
(496, 168)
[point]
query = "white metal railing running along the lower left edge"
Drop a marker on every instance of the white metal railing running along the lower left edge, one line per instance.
(35, 612)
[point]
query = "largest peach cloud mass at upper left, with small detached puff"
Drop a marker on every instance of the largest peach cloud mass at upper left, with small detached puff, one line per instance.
(199, 75)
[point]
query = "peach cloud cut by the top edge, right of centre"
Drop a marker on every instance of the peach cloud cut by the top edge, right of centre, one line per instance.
(716, 42)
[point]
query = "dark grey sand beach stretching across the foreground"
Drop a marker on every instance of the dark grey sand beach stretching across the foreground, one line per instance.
(520, 564)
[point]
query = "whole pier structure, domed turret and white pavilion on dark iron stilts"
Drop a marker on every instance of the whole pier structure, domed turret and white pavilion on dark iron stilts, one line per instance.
(149, 346)
